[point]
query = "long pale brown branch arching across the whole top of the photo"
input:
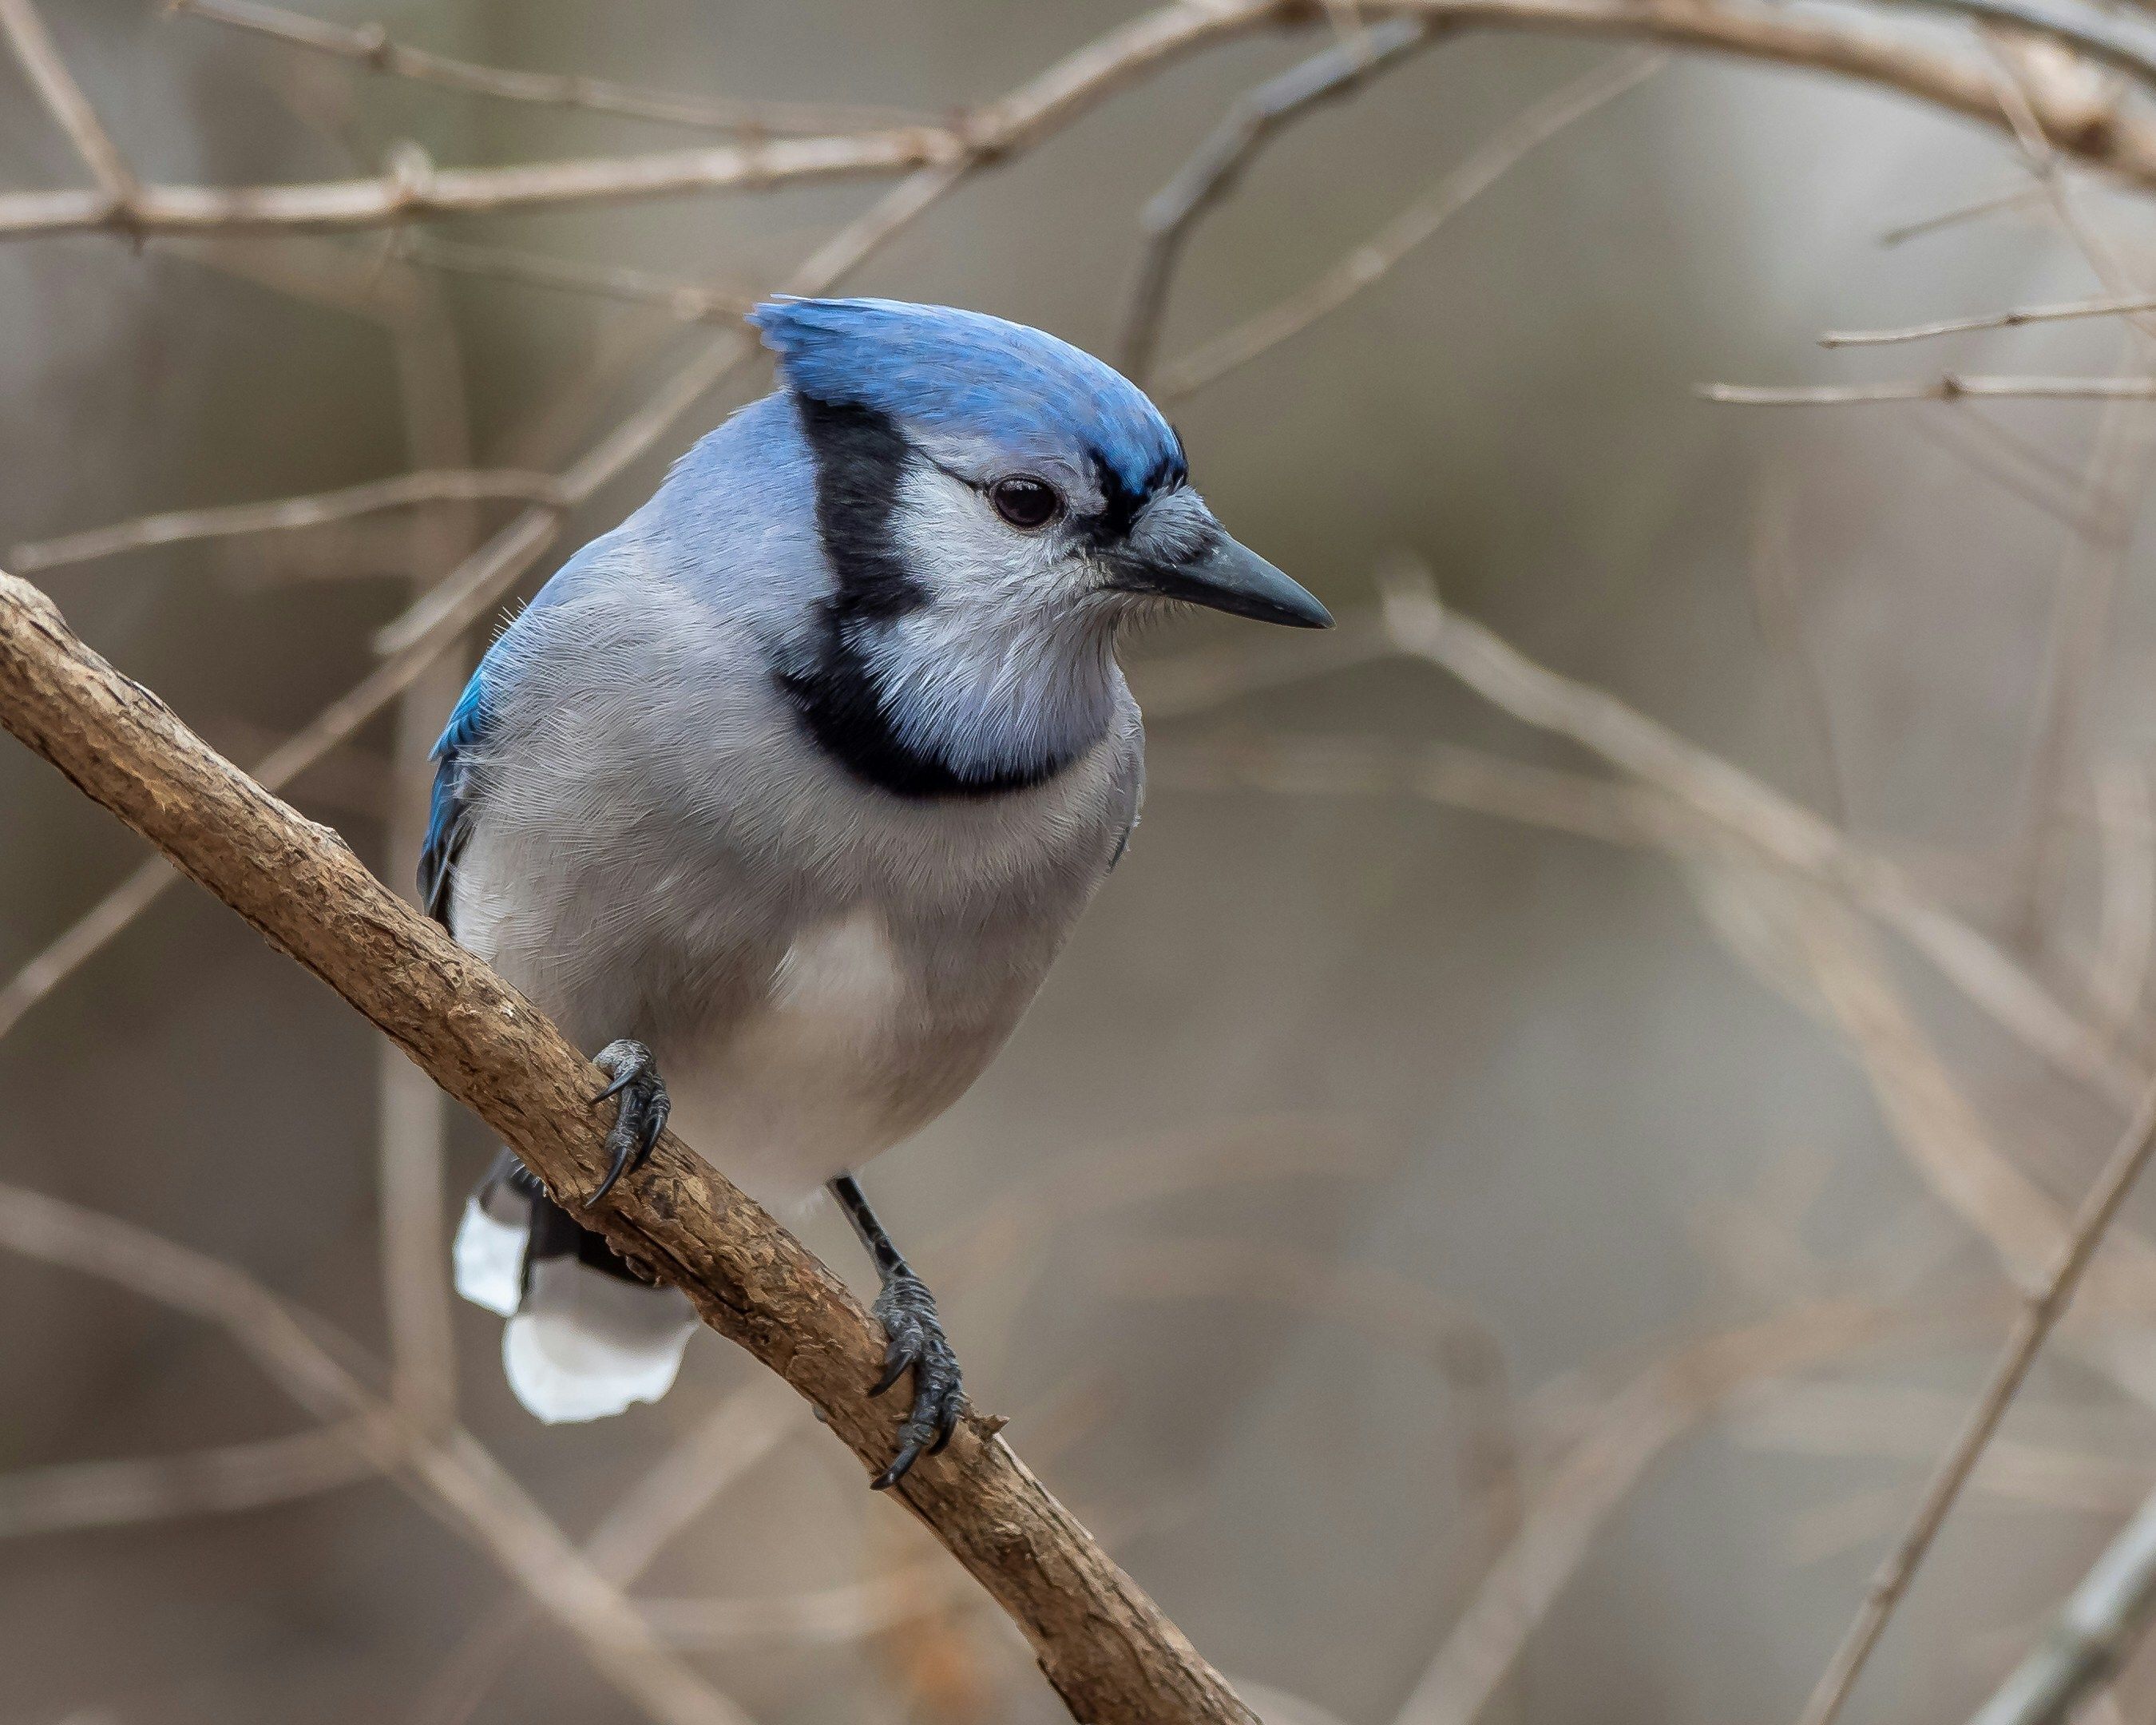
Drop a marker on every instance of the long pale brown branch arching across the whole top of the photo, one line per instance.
(2114, 141)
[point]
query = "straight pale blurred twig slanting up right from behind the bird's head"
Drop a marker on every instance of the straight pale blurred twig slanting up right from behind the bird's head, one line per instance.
(1413, 227)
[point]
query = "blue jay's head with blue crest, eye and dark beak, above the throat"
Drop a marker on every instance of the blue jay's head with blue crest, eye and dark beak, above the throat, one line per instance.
(999, 475)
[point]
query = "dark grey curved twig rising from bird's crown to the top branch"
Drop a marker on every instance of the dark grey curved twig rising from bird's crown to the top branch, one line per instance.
(1213, 171)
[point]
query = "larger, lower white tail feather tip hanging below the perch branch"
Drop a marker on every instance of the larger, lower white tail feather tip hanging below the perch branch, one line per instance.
(590, 1344)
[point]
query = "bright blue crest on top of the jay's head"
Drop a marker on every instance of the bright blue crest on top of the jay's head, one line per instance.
(967, 372)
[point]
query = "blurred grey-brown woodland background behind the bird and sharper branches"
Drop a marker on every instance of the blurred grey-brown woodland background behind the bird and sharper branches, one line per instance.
(1482, 1222)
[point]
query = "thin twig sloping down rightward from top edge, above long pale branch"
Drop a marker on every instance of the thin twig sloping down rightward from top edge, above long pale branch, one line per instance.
(376, 51)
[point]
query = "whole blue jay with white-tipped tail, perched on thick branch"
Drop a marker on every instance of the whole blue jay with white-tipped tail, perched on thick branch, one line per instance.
(786, 795)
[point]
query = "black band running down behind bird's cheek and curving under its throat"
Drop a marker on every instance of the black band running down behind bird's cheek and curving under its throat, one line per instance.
(859, 465)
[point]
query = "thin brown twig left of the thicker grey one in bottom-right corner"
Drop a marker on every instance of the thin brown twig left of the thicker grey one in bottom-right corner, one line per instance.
(2008, 1372)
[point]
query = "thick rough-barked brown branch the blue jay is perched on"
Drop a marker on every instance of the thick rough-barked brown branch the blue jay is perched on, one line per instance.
(1101, 1642)
